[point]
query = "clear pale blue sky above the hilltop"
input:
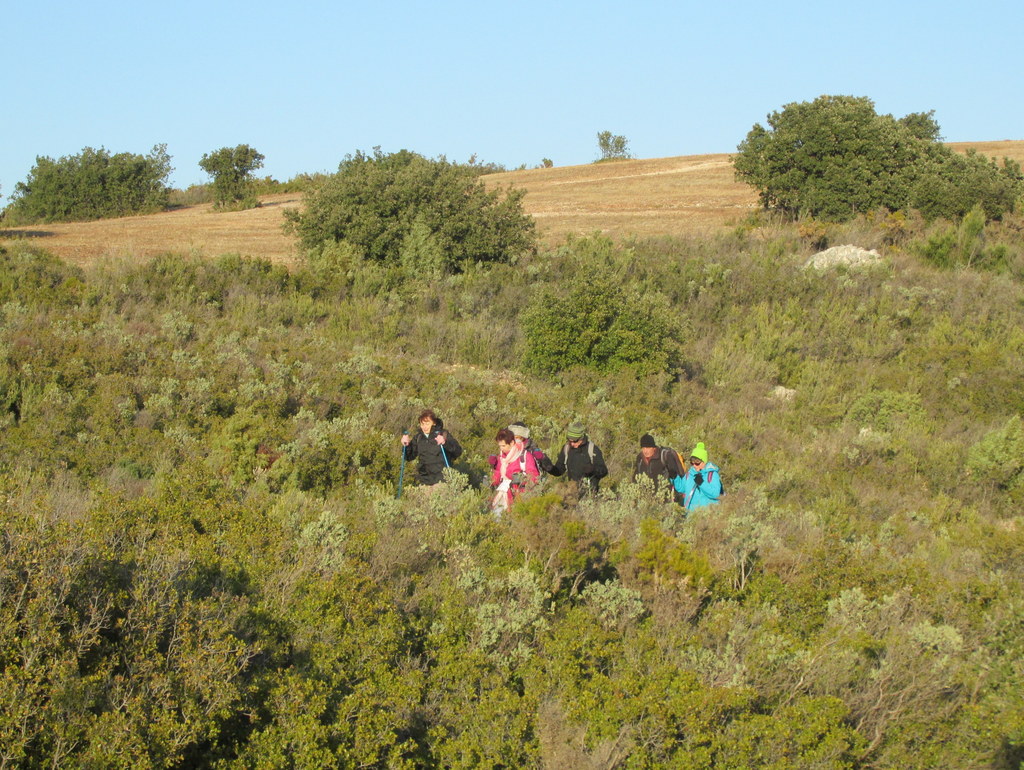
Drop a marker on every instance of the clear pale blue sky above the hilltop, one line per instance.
(308, 83)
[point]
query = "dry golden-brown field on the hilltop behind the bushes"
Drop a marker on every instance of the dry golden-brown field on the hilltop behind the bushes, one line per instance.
(685, 196)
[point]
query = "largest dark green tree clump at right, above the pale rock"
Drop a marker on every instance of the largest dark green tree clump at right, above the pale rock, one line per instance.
(836, 157)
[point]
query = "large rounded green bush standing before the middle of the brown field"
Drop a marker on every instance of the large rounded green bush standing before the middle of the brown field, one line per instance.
(404, 207)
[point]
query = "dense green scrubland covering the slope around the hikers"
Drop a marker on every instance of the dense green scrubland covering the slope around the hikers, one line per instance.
(204, 564)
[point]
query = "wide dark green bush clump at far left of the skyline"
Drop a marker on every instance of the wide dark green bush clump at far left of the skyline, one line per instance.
(93, 185)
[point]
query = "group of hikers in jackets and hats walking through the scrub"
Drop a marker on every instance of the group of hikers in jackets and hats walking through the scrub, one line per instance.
(520, 464)
